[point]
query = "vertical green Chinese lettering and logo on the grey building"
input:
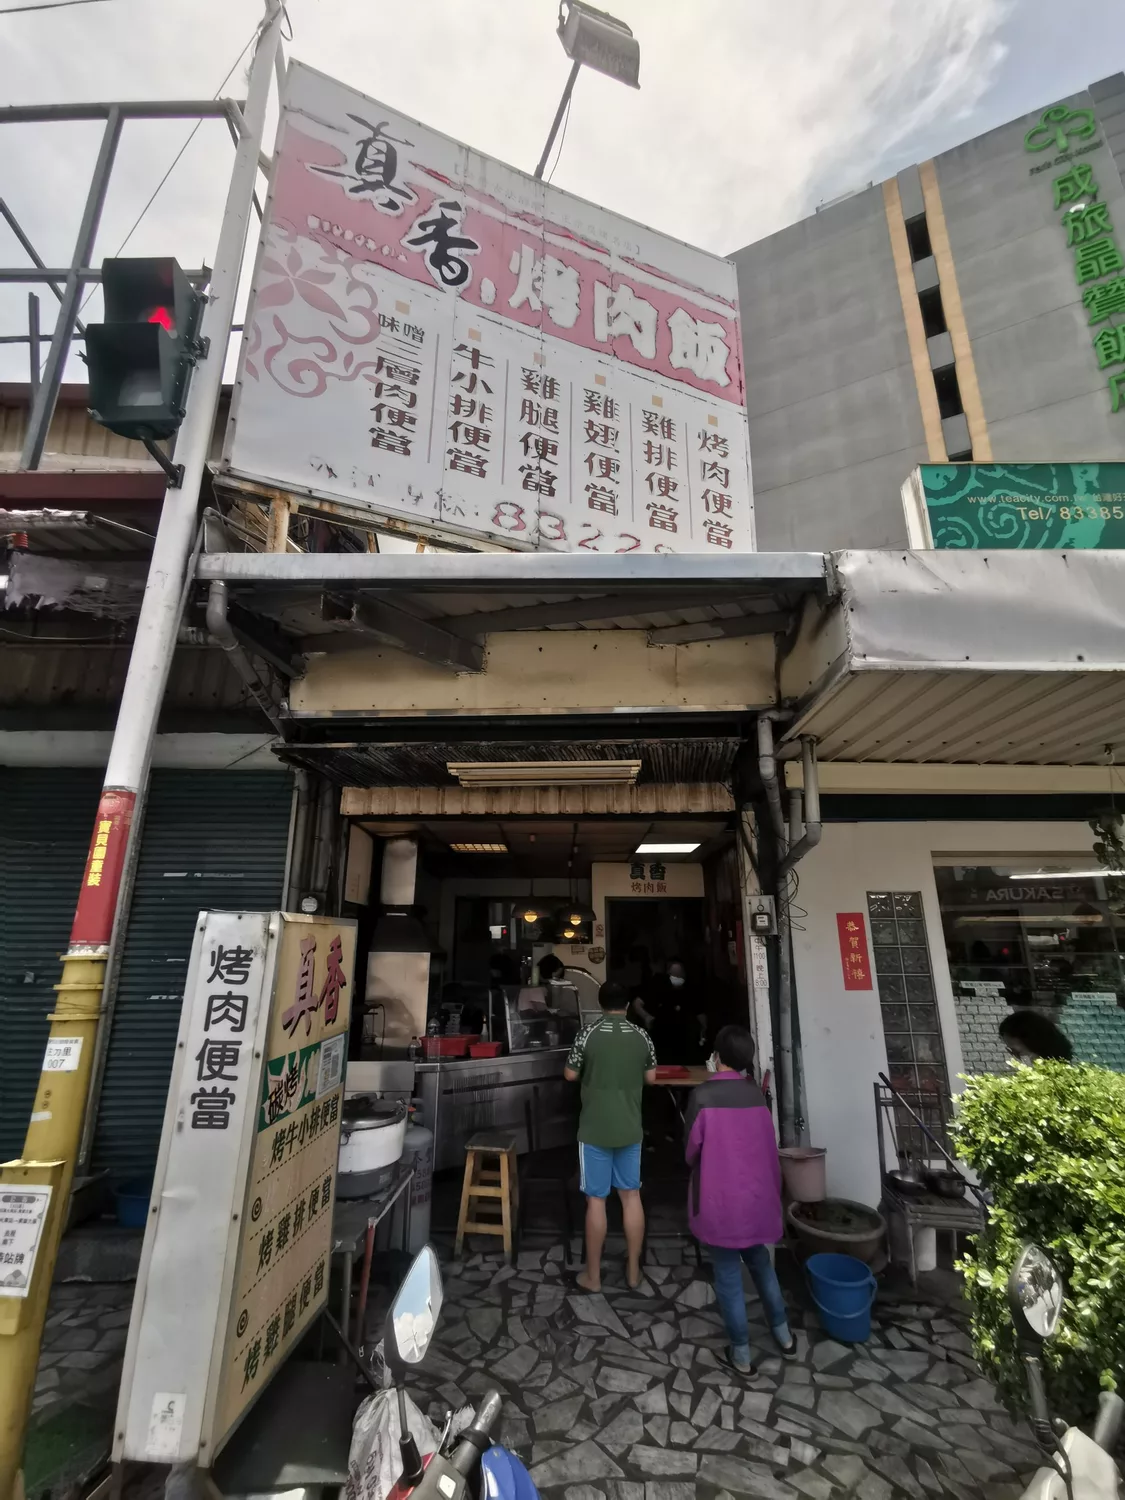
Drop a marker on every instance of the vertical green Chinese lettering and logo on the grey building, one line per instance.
(1091, 236)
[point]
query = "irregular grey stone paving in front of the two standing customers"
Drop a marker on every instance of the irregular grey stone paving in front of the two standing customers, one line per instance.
(622, 1397)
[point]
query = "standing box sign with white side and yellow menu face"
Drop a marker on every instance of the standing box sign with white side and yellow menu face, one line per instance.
(236, 1262)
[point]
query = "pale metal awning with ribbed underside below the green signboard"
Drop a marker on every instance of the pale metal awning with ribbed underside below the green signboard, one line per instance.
(986, 658)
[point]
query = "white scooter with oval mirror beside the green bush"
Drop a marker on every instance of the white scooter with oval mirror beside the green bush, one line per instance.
(1079, 1468)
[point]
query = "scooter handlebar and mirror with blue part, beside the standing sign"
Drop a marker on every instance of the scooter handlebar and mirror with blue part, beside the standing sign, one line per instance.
(469, 1465)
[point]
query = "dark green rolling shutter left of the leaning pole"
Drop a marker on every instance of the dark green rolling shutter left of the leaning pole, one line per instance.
(46, 820)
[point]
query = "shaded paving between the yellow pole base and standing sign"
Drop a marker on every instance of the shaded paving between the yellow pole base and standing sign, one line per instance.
(76, 1391)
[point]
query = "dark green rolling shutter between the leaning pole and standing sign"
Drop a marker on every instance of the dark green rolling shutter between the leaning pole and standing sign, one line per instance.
(212, 841)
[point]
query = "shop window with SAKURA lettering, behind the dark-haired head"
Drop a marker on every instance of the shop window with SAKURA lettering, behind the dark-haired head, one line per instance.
(1036, 937)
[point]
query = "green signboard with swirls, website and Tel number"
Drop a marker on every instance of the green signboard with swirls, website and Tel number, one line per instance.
(988, 506)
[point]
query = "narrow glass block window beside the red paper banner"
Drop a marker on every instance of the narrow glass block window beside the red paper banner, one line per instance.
(902, 965)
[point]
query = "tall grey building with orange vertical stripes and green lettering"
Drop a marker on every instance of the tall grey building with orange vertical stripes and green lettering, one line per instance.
(965, 310)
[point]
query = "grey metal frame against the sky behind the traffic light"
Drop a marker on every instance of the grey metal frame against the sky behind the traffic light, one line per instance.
(68, 281)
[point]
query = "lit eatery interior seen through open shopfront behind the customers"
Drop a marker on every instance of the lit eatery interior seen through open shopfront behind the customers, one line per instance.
(487, 961)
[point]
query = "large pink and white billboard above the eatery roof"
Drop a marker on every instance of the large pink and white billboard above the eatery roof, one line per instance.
(443, 341)
